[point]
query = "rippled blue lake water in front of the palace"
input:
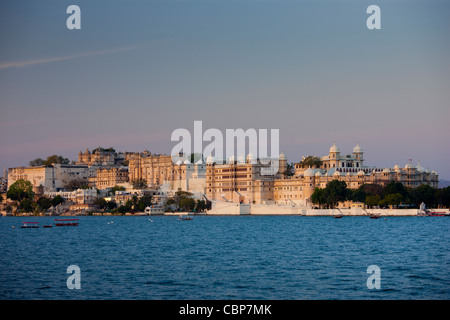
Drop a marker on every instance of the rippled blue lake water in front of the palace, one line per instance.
(227, 257)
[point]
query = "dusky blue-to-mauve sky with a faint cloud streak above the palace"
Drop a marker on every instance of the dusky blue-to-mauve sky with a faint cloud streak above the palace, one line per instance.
(138, 70)
